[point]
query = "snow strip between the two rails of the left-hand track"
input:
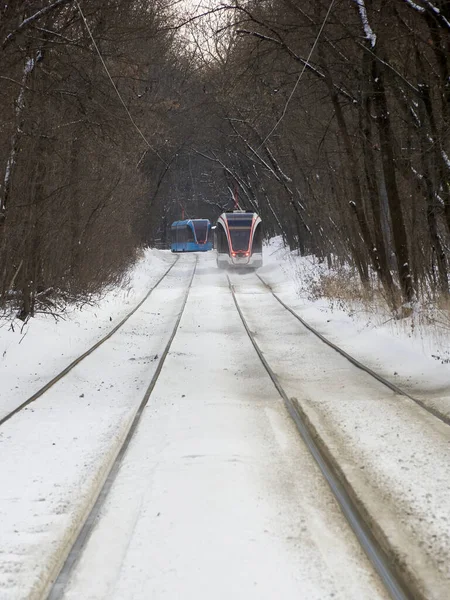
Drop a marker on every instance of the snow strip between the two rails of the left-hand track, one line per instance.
(57, 452)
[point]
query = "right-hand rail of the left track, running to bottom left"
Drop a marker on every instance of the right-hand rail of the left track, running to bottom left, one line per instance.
(57, 589)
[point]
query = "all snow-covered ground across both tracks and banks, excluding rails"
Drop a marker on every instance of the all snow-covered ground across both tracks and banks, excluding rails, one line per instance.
(216, 486)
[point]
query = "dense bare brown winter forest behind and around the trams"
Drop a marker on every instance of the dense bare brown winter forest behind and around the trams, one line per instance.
(330, 118)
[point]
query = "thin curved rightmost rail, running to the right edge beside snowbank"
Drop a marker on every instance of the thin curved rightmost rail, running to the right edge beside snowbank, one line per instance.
(436, 413)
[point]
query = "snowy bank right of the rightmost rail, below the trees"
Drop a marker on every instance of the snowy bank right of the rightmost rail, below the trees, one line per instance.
(407, 352)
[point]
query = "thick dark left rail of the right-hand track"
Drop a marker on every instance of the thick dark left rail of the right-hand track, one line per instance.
(393, 582)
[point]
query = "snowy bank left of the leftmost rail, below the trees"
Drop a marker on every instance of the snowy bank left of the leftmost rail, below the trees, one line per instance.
(32, 354)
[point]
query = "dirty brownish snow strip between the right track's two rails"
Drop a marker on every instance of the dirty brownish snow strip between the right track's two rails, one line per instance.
(395, 455)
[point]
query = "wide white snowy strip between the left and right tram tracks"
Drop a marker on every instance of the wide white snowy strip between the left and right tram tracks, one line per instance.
(217, 496)
